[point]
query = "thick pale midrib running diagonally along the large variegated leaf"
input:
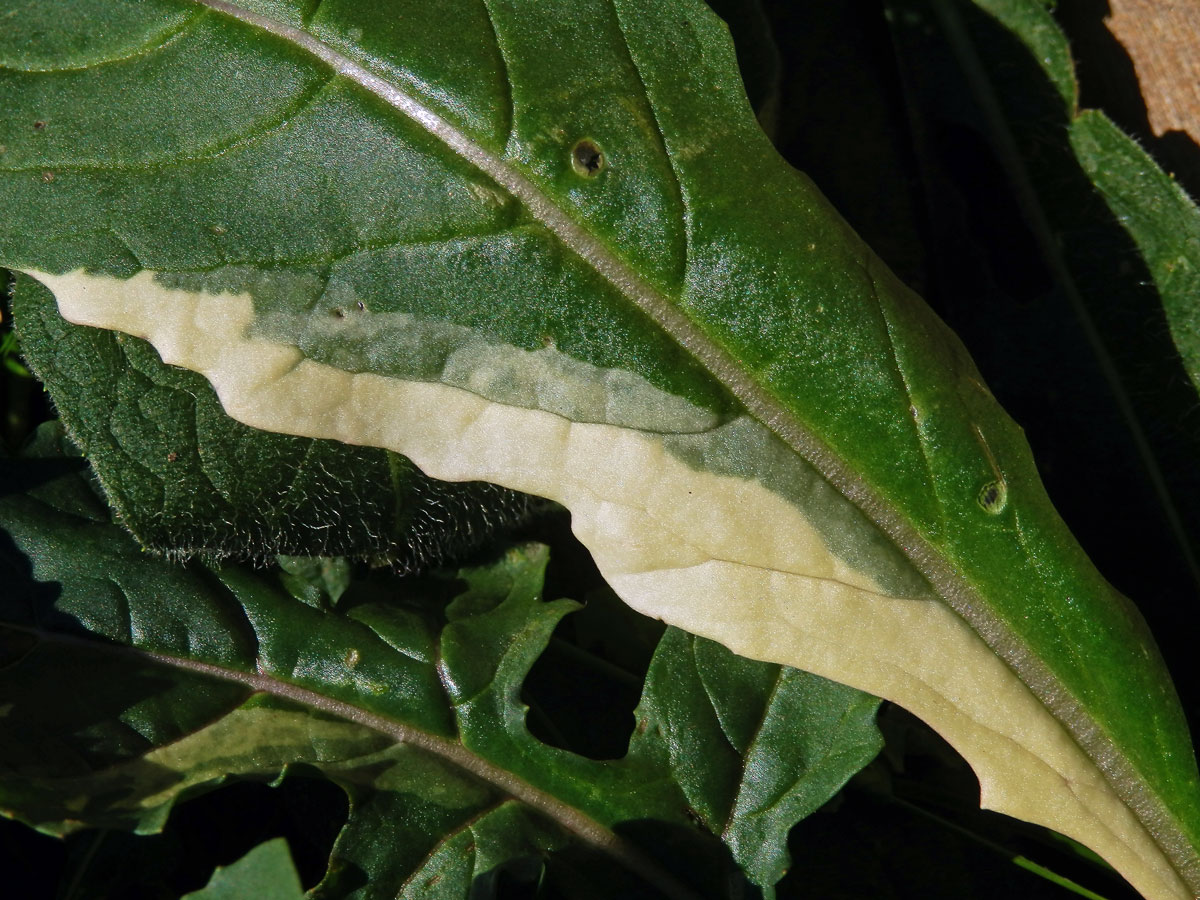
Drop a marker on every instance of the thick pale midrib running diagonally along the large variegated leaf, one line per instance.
(763, 405)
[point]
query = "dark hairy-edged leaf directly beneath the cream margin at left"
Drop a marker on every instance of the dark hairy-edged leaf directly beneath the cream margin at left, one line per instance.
(187, 479)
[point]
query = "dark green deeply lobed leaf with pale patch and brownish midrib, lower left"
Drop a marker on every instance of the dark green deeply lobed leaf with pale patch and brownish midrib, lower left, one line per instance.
(133, 683)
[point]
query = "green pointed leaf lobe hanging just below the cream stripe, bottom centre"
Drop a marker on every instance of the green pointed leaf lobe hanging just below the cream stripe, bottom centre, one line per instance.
(748, 772)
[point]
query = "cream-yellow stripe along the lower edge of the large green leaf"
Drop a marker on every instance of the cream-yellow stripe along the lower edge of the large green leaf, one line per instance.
(715, 555)
